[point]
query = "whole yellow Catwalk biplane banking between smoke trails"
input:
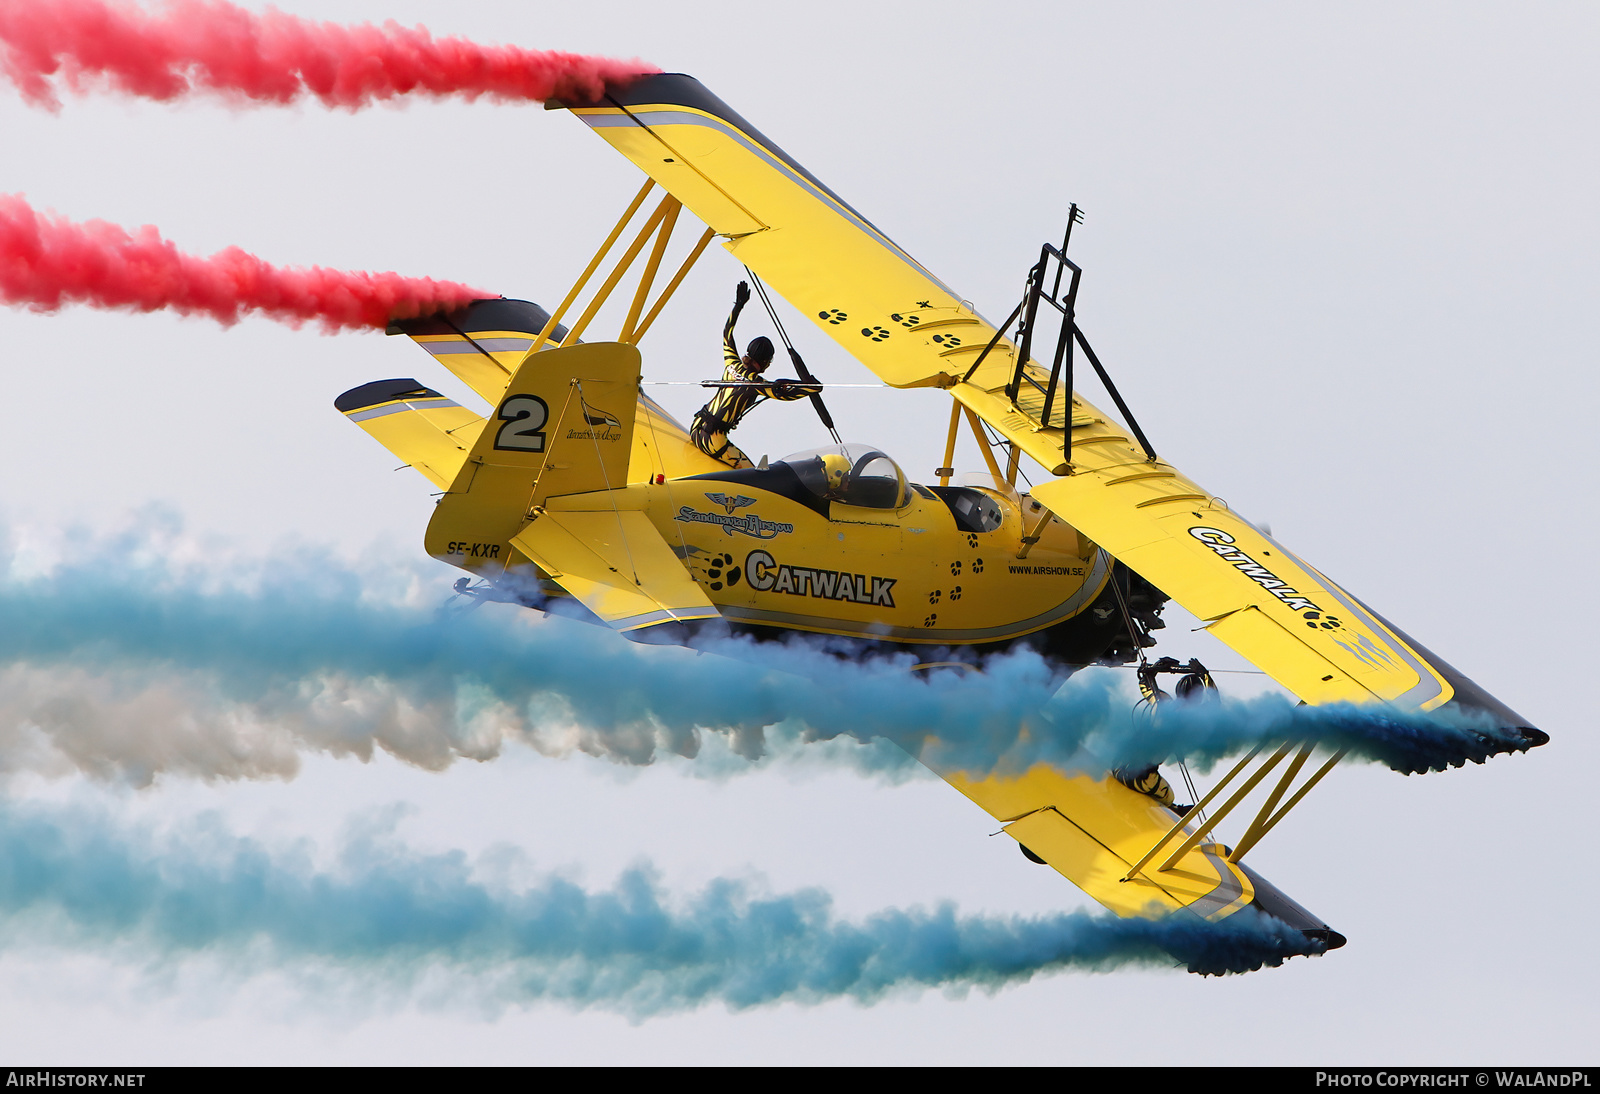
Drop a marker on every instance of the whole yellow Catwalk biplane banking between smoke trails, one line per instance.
(582, 493)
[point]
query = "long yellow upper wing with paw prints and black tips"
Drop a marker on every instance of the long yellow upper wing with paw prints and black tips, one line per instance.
(913, 330)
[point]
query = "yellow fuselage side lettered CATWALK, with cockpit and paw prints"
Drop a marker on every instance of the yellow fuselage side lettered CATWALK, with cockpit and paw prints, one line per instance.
(945, 569)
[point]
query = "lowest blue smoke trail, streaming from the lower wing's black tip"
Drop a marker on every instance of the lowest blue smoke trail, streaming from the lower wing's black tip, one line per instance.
(393, 916)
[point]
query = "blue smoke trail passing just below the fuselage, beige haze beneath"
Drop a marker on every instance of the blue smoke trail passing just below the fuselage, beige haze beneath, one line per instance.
(303, 642)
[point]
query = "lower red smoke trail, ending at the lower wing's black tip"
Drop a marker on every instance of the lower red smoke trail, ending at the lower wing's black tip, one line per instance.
(49, 262)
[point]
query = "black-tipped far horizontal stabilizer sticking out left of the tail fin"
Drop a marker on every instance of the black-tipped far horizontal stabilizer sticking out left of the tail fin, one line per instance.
(425, 429)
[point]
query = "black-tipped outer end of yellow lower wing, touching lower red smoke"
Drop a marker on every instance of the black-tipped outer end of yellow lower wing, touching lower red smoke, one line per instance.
(482, 343)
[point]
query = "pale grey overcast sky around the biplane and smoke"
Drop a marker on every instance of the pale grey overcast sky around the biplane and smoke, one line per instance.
(1342, 263)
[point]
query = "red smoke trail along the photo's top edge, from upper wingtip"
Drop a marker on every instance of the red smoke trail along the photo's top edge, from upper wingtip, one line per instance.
(207, 46)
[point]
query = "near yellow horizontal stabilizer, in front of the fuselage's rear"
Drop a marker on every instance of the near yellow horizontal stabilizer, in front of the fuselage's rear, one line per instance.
(618, 565)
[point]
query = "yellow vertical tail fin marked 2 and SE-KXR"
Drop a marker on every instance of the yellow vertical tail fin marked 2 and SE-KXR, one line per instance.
(562, 426)
